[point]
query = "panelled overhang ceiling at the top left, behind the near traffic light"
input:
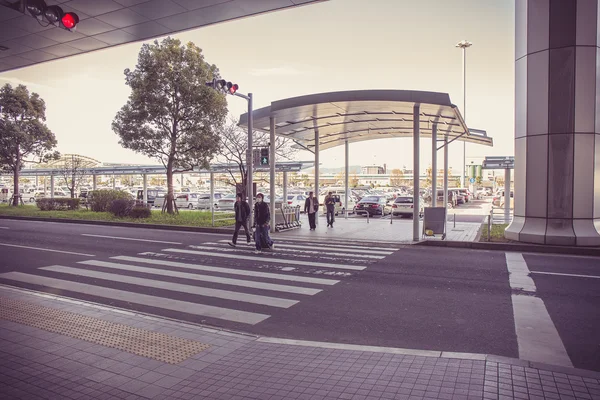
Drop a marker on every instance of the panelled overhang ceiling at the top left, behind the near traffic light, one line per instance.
(25, 40)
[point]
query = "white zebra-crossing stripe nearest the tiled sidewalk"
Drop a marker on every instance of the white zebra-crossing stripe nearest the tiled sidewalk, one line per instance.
(228, 314)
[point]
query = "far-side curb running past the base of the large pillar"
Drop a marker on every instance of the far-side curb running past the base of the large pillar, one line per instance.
(516, 247)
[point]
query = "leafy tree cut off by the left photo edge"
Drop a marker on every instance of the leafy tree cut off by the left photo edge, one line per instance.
(24, 136)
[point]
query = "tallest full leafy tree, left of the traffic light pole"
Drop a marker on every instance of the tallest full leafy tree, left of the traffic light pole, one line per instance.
(171, 114)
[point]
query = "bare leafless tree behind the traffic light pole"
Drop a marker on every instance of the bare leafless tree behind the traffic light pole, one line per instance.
(234, 145)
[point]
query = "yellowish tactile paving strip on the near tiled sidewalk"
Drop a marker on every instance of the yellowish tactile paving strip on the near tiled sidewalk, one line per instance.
(154, 345)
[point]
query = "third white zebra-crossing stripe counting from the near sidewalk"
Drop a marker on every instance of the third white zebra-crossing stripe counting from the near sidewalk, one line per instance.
(206, 278)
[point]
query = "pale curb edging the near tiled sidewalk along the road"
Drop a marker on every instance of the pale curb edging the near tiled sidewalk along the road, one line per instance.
(325, 345)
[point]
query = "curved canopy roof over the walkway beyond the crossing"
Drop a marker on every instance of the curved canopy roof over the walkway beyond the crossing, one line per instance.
(363, 115)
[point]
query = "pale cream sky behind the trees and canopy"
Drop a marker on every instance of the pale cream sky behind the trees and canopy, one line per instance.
(332, 46)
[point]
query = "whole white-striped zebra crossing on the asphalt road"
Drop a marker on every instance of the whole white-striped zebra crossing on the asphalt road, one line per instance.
(210, 280)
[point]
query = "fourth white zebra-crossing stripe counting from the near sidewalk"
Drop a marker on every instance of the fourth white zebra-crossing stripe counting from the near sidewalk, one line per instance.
(220, 270)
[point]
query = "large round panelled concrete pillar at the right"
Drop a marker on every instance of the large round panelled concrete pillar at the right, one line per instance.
(557, 128)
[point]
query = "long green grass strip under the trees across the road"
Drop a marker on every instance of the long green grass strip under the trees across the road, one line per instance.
(184, 218)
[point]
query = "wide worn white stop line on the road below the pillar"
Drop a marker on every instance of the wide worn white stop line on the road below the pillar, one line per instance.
(537, 336)
